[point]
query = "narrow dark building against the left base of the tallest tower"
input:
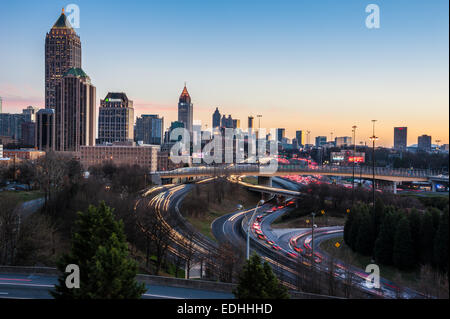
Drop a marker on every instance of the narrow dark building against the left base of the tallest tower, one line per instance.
(45, 129)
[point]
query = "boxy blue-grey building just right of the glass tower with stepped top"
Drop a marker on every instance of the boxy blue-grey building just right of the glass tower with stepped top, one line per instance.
(149, 129)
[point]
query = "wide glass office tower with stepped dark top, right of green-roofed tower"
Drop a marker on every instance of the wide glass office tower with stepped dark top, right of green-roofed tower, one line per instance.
(115, 119)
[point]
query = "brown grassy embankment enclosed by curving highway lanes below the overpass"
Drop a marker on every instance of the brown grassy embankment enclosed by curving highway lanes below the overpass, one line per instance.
(201, 207)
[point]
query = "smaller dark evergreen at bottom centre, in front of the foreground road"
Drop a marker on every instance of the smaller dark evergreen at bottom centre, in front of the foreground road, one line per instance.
(257, 281)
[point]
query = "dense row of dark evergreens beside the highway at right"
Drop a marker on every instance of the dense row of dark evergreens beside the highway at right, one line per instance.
(404, 238)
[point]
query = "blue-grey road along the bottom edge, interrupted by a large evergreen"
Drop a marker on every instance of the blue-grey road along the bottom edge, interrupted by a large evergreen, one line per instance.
(19, 286)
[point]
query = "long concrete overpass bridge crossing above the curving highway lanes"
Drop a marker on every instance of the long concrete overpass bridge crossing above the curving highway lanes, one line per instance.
(395, 176)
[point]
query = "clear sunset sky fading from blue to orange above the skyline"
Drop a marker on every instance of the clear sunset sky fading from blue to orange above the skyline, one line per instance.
(309, 65)
